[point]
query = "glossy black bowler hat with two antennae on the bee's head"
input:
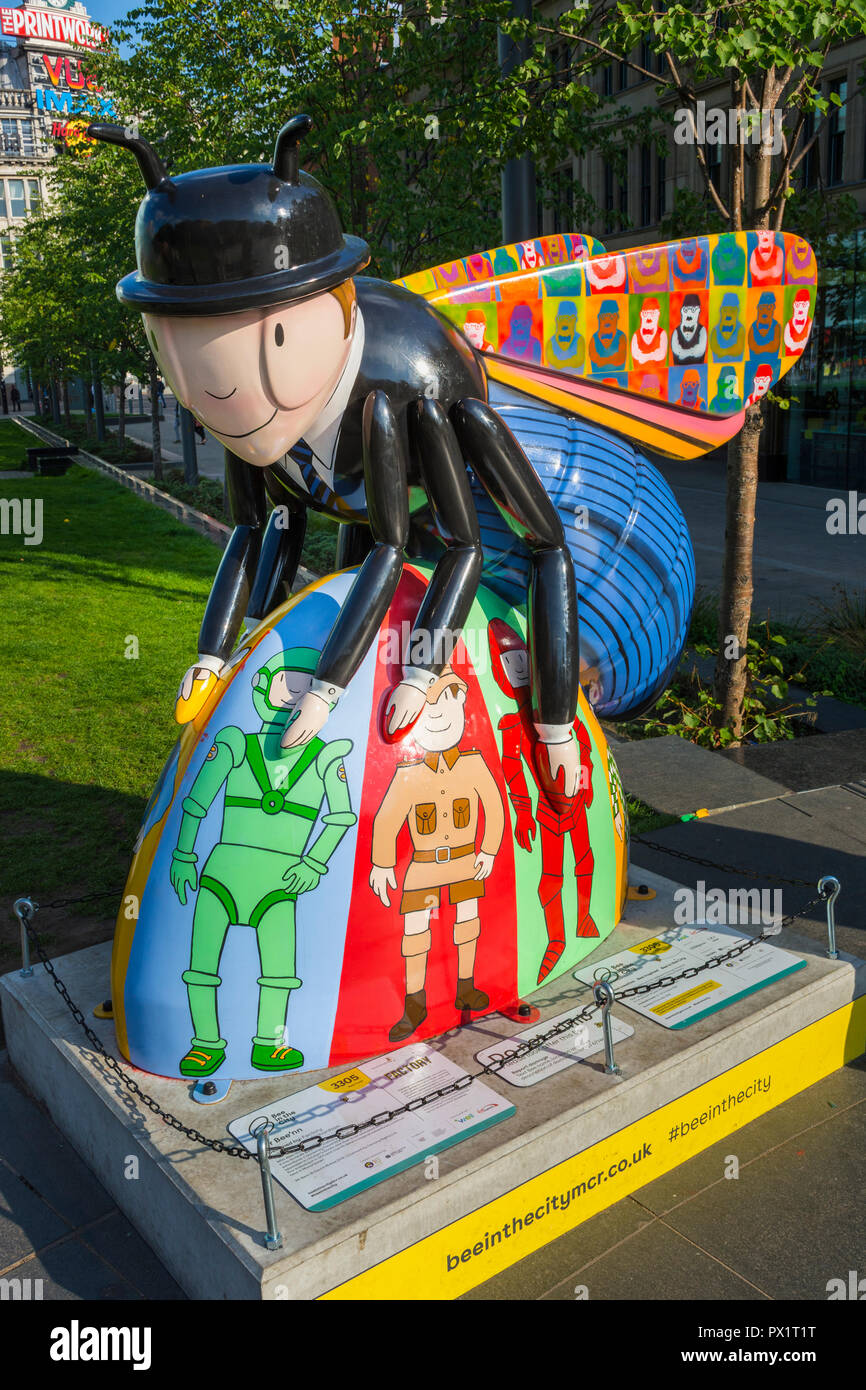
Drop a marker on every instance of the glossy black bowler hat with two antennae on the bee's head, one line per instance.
(238, 237)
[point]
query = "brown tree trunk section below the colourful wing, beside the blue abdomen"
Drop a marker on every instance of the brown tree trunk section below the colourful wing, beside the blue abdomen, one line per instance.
(737, 579)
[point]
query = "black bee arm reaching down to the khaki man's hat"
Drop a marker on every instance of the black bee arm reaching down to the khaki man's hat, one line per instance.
(455, 580)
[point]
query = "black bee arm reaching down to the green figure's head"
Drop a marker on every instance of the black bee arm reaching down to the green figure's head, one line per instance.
(376, 584)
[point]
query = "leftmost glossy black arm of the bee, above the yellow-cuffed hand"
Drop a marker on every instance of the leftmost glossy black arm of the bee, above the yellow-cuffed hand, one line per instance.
(230, 593)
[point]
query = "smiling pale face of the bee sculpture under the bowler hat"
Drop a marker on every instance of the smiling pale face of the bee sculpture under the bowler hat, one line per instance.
(258, 379)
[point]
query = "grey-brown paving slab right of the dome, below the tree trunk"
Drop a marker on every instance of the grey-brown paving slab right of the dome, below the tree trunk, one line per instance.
(678, 778)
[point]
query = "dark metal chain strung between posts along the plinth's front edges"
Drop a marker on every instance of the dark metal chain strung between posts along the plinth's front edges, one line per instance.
(491, 1068)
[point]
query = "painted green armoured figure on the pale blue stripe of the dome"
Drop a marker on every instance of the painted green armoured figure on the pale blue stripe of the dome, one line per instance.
(263, 860)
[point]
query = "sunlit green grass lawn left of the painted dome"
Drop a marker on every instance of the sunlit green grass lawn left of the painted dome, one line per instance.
(85, 728)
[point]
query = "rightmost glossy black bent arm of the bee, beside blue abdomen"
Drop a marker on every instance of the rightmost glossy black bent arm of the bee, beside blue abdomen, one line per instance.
(511, 482)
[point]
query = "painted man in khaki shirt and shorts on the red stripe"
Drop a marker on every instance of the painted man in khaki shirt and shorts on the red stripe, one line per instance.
(440, 799)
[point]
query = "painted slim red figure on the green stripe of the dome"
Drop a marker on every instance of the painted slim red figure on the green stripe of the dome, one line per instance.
(557, 815)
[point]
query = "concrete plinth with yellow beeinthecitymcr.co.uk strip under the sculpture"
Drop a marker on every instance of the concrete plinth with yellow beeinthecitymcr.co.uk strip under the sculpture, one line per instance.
(578, 1143)
